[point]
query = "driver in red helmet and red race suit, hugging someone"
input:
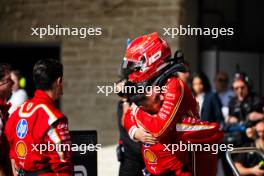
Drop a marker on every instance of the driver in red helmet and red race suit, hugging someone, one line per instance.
(145, 57)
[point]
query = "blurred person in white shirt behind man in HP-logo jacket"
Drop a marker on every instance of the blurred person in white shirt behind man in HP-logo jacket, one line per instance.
(19, 95)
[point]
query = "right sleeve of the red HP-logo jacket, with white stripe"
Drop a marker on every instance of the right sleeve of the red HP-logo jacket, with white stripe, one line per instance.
(59, 160)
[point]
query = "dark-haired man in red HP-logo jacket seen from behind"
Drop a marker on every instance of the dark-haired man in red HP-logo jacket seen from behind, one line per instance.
(38, 122)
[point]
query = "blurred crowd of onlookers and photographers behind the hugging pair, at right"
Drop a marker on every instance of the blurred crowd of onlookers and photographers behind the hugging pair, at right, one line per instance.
(239, 110)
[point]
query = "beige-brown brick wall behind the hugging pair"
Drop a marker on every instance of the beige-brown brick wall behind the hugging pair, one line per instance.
(95, 60)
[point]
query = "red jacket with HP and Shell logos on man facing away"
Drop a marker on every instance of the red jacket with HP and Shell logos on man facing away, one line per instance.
(38, 122)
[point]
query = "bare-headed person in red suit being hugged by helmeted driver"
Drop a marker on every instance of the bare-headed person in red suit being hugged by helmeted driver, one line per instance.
(160, 161)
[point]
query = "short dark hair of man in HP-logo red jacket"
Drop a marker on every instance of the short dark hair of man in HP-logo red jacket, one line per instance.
(45, 73)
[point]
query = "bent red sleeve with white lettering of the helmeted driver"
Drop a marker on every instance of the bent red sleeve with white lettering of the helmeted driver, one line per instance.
(159, 123)
